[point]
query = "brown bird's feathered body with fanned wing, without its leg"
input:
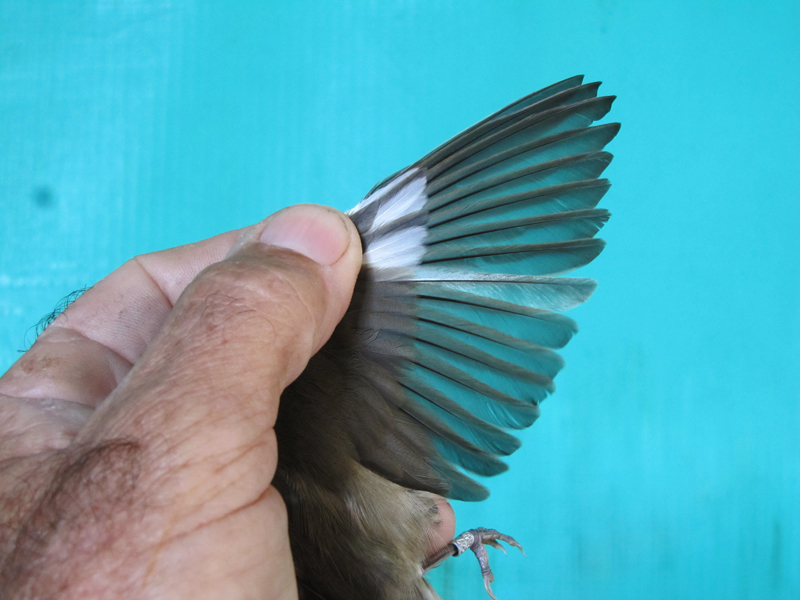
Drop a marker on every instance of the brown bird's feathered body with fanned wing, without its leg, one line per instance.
(448, 342)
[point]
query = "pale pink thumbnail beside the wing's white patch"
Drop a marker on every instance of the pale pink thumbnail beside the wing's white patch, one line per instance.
(318, 232)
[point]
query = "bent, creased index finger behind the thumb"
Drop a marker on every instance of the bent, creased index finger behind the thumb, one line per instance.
(90, 347)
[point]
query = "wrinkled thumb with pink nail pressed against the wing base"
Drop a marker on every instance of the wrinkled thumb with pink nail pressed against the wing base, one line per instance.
(242, 330)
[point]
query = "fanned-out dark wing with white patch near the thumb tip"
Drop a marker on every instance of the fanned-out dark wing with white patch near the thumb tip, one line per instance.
(453, 325)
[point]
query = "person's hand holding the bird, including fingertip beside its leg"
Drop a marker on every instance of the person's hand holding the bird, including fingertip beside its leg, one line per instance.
(136, 435)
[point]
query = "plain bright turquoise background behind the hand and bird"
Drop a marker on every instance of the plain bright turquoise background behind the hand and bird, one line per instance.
(667, 465)
